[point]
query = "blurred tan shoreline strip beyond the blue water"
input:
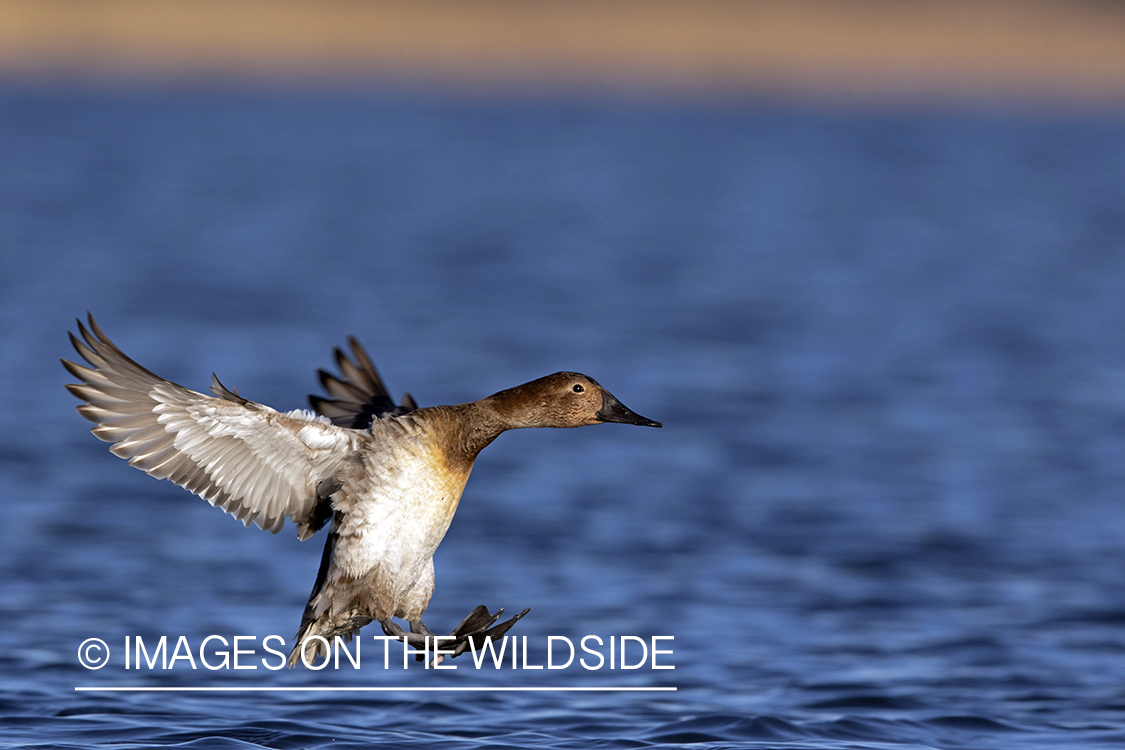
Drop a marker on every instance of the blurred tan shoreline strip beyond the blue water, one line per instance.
(875, 50)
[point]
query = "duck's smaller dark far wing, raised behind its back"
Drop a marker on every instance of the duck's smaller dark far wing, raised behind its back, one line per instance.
(358, 396)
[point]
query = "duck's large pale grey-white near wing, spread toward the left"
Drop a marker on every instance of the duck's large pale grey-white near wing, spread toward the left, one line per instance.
(257, 464)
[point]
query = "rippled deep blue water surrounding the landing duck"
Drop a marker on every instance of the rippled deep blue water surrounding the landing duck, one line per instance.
(887, 509)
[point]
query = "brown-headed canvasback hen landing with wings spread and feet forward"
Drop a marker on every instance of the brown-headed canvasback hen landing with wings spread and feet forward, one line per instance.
(388, 477)
